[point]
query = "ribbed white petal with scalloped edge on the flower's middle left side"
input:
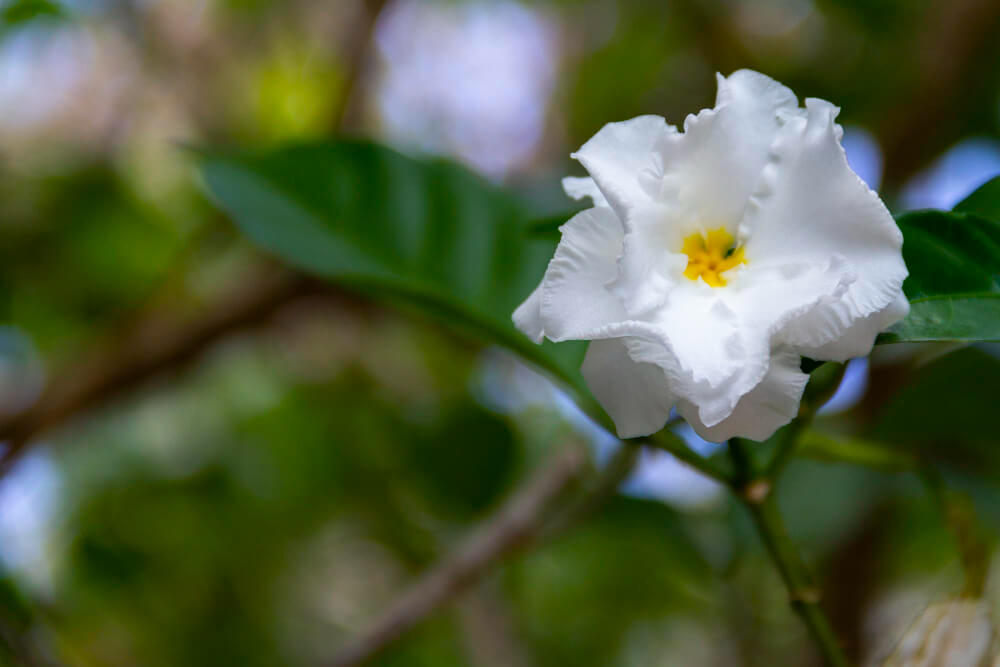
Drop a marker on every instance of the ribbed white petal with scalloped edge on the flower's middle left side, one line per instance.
(575, 301)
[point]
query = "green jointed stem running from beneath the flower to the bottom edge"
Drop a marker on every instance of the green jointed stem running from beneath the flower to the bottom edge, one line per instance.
(804, 596)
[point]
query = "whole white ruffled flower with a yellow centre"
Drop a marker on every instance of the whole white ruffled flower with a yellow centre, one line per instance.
(715, 258)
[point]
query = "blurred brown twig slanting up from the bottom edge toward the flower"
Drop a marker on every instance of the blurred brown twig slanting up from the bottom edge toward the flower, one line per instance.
(517, 524)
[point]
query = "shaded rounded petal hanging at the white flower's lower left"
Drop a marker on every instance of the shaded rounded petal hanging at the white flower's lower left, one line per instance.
(635, 395)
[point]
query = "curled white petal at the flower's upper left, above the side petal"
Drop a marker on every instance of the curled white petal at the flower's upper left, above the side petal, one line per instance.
(618, 155)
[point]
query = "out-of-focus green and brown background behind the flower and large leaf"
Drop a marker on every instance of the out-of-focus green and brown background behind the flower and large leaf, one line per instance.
(220, 463)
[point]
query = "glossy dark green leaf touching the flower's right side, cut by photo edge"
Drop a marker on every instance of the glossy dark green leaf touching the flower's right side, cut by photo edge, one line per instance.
(954, 281)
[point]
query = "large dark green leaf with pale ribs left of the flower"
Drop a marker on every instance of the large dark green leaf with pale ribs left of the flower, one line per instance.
(424, 232)
